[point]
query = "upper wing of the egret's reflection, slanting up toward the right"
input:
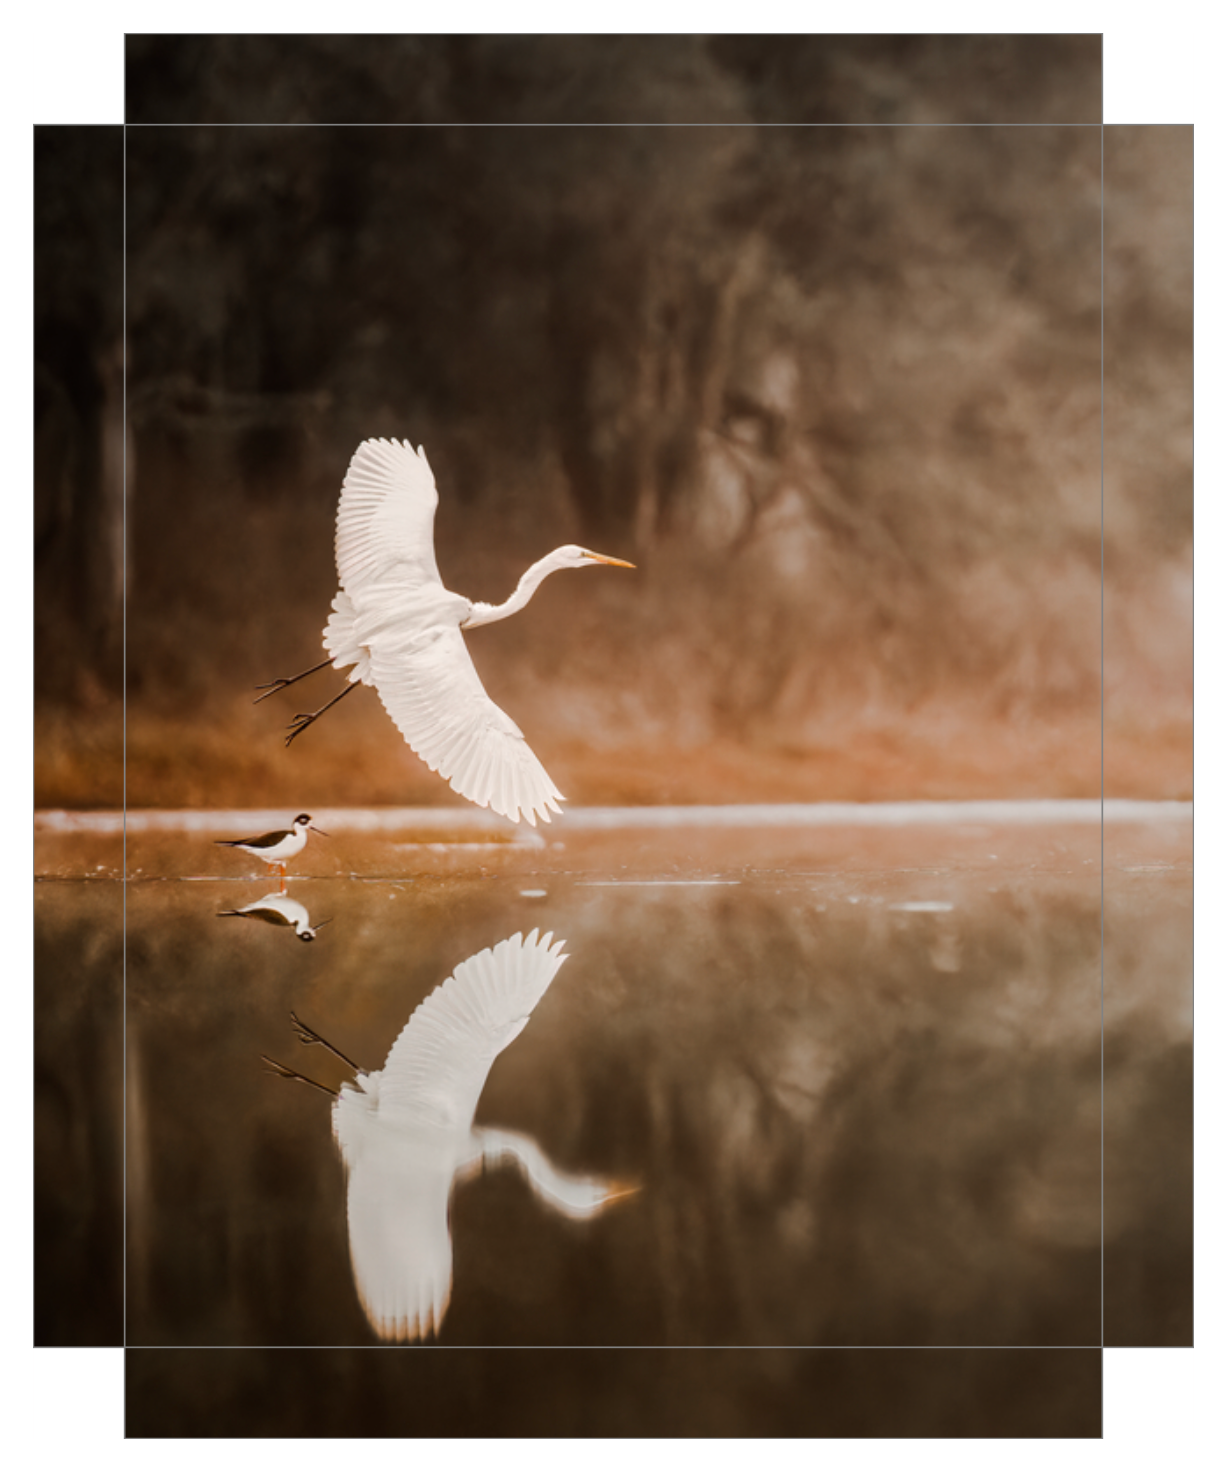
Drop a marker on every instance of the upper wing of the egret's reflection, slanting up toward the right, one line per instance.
(437, 1068)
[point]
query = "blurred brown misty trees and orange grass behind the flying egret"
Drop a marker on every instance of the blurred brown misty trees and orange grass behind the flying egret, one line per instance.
(808, 327)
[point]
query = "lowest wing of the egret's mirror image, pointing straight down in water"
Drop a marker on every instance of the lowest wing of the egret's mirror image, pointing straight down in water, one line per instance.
(398, 1221)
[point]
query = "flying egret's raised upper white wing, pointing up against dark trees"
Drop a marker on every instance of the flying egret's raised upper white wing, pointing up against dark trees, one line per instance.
(386, 518)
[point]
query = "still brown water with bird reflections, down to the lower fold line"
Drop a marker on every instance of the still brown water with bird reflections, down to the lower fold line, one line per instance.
(818, 1084)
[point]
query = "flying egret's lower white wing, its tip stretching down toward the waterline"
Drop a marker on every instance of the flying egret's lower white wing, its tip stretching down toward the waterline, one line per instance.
(436, 699)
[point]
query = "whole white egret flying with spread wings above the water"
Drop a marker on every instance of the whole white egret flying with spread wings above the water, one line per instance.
(398, 628)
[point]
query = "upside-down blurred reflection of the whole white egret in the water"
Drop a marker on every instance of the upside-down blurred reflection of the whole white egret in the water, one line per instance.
(407, 1133)
